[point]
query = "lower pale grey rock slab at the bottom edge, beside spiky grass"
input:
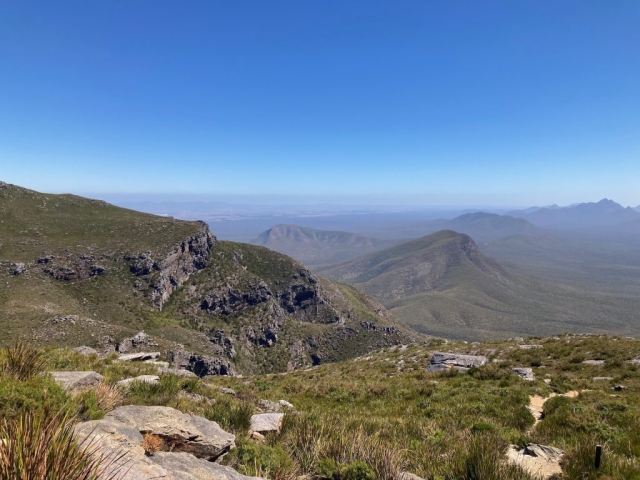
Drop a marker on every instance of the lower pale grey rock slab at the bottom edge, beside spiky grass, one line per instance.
(116, 440)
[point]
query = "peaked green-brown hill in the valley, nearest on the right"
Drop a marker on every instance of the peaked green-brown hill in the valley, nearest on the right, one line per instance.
(443, 285)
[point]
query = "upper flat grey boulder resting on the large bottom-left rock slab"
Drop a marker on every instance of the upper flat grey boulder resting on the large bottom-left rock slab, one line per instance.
(180, 432)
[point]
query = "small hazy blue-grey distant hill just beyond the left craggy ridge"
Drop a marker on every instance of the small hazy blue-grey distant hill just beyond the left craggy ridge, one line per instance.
(318, 247)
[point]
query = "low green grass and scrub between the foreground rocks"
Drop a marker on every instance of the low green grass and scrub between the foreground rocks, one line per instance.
(383, 414)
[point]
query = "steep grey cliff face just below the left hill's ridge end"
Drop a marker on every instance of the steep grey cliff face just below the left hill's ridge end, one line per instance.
(168, 274)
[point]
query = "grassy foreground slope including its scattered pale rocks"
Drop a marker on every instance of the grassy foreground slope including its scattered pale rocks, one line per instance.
(435, 409)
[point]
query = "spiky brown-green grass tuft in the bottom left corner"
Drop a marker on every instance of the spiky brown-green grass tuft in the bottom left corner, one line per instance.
(42, 447)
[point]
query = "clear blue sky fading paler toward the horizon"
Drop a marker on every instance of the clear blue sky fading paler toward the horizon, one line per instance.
(450, 102)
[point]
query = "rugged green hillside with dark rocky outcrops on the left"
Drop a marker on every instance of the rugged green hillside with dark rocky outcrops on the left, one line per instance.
(79, 271)
